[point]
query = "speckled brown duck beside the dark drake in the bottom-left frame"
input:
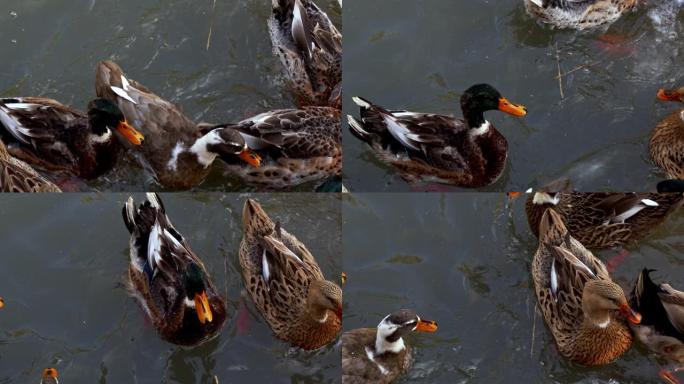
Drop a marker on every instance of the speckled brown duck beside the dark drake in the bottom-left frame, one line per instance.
(286, 284)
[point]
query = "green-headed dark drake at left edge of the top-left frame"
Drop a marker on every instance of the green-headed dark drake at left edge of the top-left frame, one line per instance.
(51, 136)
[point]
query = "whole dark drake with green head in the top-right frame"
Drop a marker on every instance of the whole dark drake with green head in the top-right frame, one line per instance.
(466, 152)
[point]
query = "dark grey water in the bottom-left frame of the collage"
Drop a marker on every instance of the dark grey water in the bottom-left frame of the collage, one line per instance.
(65, 257)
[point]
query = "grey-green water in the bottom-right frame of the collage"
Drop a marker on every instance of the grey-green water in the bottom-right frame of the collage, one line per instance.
(463, 260)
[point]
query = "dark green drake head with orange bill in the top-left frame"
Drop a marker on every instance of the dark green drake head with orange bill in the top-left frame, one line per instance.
(105, 115)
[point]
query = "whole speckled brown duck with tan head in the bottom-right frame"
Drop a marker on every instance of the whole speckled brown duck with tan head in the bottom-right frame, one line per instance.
(586, 312)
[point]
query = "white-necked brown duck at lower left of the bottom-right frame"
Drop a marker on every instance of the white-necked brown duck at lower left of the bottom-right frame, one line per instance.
(379, 355)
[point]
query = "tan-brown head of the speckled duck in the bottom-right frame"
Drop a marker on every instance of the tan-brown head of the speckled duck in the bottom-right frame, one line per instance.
(601, 299)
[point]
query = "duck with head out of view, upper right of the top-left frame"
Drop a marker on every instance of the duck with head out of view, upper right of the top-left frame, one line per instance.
(310, 48)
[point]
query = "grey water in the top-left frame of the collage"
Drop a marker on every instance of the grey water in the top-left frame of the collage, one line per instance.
(51, 48)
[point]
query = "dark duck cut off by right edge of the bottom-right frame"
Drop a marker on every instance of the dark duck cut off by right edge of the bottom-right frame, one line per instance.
(662, 310)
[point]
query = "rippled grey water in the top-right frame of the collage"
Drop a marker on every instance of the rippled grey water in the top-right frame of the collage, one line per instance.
(420, 55)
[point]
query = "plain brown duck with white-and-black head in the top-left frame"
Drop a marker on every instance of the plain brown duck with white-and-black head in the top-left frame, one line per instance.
(179, 152)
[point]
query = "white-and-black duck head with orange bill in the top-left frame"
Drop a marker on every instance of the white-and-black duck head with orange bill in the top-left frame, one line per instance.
(225, 143)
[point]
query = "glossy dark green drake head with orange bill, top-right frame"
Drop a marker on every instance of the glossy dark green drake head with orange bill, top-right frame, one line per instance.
(481, 98)
